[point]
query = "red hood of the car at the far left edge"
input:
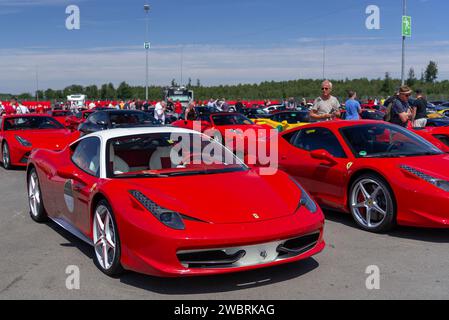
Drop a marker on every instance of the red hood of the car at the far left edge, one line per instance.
(47, 139)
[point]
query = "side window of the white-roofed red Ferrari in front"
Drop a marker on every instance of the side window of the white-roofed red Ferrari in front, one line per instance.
(86, 156)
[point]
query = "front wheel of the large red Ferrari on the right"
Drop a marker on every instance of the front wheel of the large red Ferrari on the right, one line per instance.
(375, 198)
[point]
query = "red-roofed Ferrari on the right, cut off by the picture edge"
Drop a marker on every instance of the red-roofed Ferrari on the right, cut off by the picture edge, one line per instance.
(381, 173)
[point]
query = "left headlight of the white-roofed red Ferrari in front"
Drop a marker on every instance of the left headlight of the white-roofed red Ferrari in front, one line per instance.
(169, 218)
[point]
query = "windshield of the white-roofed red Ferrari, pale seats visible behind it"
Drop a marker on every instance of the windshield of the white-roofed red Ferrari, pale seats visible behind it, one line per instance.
(160, 155)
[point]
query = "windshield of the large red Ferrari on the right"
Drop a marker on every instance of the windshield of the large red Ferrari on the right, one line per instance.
(385, 141)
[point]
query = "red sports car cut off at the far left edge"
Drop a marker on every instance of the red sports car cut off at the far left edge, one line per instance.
(20, 134)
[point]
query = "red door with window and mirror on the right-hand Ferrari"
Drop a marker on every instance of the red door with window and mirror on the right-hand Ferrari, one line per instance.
(323, 177)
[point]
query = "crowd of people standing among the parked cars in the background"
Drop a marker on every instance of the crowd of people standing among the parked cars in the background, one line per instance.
(399, 108)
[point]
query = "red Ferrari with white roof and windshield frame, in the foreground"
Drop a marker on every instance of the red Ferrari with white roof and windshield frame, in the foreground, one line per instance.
(148, 201)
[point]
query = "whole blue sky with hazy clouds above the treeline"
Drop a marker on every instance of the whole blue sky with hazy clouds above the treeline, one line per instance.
(222, 42)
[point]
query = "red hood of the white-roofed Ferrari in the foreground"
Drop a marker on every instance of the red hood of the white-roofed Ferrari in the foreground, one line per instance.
(238, 197)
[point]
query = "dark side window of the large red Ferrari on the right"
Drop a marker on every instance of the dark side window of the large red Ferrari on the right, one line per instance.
(319, 138)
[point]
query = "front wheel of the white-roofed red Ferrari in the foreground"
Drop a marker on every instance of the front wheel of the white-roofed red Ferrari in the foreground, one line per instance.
(107, 249)
